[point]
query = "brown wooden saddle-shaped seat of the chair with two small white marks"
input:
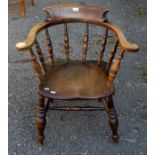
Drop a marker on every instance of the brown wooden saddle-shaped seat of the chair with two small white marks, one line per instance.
(76, 80)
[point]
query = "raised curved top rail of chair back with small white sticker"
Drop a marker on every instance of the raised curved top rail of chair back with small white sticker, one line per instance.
(76, 11)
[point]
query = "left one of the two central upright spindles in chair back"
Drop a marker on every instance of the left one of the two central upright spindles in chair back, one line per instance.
(66, 42)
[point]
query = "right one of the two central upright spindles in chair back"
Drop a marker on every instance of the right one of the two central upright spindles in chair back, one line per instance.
(85, 43)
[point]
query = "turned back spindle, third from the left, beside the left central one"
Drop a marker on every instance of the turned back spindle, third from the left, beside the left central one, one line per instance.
(49, 45)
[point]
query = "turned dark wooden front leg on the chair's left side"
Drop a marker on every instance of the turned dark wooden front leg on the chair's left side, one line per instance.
(41, 119)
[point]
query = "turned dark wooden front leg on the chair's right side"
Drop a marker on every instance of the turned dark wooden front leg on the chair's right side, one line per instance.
(112, 115)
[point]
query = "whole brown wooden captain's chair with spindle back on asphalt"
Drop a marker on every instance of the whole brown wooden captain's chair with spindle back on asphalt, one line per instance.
(81, 79)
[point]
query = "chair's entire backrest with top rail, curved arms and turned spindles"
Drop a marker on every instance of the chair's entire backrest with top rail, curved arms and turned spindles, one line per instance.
(69, 13)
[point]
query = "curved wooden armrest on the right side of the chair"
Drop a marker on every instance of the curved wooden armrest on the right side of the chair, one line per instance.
(127, 46)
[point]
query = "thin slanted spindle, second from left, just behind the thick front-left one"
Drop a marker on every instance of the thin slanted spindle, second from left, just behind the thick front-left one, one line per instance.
(40, 55)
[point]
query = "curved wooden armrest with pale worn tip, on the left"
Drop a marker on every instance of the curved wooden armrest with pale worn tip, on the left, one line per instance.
(21, 46)
